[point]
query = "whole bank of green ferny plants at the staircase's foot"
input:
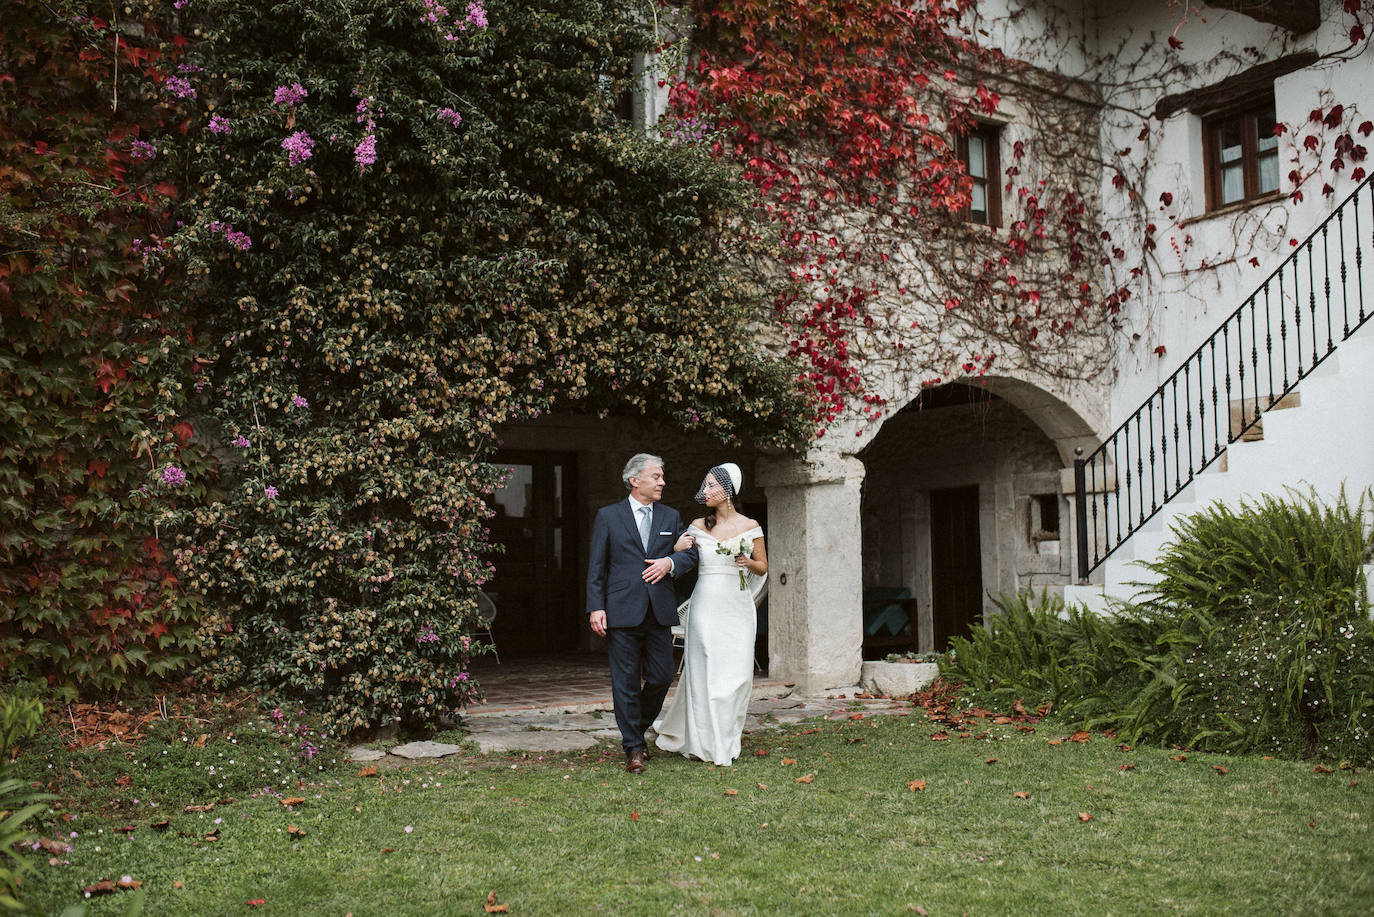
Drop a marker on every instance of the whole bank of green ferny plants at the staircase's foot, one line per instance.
(1257, 639)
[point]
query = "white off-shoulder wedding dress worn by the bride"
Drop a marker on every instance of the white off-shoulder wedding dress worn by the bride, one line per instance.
(706, 716)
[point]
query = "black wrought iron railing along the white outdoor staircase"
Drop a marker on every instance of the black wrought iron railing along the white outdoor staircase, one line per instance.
(1273, 342)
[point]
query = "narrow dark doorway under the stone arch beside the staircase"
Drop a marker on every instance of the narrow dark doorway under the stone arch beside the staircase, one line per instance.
(956, 564)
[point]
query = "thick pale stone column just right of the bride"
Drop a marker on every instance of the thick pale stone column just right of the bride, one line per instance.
(815, 571)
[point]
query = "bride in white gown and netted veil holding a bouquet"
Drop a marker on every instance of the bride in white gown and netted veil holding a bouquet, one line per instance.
(706, 717)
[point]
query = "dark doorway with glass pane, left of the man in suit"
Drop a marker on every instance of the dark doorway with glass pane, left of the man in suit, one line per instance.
(537, 581)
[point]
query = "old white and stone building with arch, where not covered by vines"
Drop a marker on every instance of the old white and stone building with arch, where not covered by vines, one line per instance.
(897, 535)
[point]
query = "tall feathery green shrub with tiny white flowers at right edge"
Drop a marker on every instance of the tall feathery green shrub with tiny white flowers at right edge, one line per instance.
(1266, 641)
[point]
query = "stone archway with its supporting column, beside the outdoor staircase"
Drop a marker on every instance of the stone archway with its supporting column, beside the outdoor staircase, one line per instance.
(820, 540)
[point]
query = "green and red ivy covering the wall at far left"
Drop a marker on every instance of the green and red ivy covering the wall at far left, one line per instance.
(95, 360)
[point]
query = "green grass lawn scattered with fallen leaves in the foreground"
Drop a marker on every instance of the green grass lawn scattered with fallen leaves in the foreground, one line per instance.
(579, 835)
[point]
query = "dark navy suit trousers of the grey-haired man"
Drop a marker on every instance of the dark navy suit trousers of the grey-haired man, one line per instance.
(641, 673)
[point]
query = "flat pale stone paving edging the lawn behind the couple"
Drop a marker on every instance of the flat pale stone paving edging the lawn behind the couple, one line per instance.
(572, 728)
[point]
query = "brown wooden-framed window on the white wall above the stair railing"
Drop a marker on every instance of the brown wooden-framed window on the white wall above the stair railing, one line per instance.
(1243, 153)
